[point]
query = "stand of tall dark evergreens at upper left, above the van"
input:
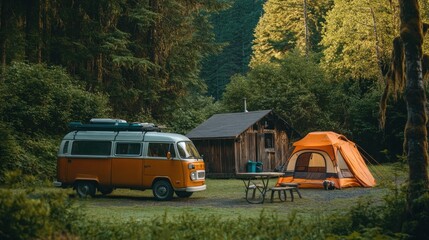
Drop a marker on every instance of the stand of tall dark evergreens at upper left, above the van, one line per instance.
(146, 54)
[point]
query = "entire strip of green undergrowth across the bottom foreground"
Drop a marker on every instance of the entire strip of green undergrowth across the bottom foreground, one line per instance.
(51, 214)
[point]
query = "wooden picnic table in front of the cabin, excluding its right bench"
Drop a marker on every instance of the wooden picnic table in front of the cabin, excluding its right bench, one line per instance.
(256, 184)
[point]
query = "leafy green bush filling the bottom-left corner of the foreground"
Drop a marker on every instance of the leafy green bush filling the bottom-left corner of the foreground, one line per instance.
(35, 215)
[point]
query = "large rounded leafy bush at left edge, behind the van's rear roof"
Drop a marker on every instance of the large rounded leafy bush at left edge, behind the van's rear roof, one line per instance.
(42, 100)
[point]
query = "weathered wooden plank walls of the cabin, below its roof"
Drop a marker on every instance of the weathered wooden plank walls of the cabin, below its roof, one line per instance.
(225, 157)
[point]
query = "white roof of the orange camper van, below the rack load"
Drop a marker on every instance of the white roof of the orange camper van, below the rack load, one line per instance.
(125, 136)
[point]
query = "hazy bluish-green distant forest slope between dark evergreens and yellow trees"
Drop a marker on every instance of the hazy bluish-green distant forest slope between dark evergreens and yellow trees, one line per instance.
(234, 31)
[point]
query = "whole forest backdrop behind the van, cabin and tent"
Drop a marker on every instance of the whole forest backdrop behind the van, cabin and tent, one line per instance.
(320, 65)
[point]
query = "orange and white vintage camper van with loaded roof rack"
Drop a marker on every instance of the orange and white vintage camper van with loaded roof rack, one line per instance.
(111, 153)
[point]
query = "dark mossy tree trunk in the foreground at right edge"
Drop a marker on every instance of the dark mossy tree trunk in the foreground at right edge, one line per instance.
(415, 130)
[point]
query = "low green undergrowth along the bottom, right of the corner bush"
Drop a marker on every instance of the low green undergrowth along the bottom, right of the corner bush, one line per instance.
(360, 223)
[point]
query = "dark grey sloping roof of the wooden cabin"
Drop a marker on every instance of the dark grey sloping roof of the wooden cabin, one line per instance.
(227, 125)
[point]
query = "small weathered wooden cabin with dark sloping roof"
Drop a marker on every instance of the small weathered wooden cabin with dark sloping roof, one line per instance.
(229, 140)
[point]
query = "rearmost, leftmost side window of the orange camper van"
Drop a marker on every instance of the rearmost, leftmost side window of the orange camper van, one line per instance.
(91, 148)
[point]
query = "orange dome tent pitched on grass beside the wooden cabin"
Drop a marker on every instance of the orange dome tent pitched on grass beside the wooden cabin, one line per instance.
(321, 156)
